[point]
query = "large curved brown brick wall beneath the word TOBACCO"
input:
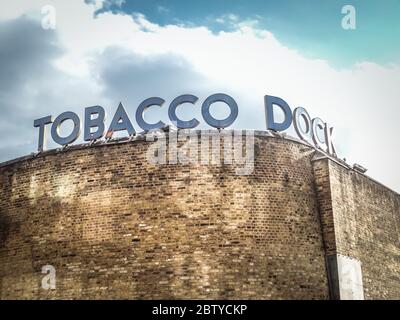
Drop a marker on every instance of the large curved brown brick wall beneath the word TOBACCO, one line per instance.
(115, 226)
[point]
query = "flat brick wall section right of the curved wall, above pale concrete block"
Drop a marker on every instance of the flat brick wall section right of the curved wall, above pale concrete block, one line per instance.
(361, 219)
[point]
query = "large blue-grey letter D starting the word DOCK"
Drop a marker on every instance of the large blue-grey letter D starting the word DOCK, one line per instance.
(270, 101)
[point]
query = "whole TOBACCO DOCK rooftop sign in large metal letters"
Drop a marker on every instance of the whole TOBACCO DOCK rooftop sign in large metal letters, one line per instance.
(313, 131)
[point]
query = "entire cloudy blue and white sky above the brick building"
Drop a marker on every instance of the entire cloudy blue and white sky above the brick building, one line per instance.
(102, 52)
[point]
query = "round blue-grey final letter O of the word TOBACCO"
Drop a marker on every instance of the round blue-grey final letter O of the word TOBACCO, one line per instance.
(219, 97)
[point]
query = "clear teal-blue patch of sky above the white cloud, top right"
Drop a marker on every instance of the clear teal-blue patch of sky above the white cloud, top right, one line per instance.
(311, 26)
